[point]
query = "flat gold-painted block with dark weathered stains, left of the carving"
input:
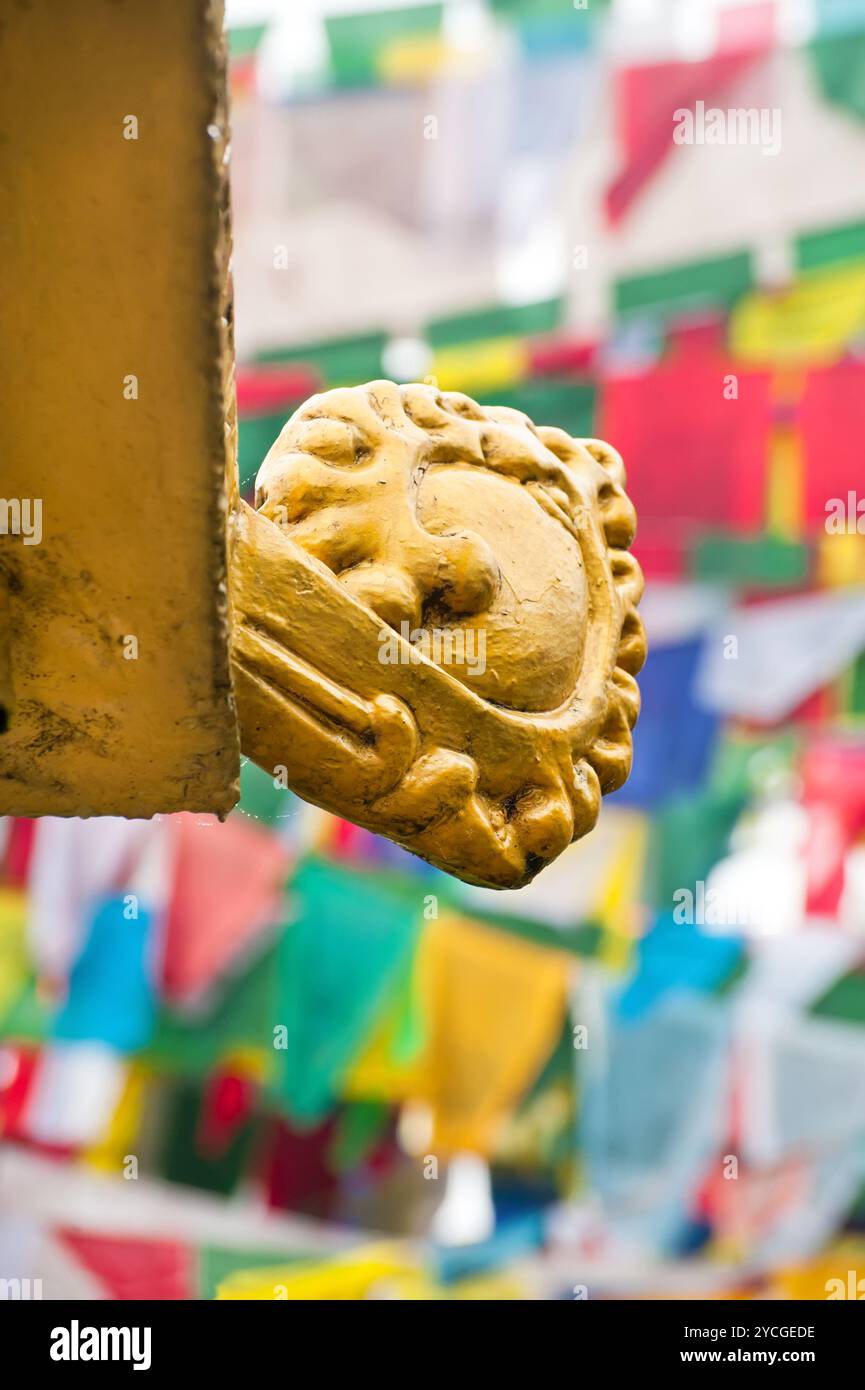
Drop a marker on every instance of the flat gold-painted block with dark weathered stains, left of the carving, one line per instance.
(116, 408)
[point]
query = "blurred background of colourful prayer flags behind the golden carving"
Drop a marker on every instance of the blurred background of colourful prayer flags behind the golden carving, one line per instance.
(282, 1058)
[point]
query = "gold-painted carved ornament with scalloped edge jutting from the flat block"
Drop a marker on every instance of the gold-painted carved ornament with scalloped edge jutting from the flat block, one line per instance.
(435, 625)
